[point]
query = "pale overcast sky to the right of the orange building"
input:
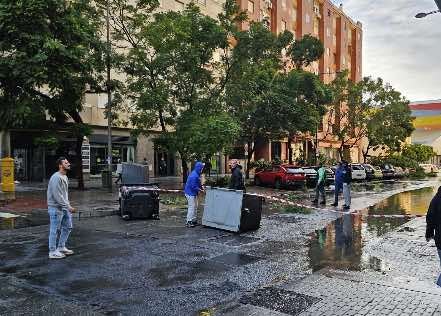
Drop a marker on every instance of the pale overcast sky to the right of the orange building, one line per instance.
(404, 51)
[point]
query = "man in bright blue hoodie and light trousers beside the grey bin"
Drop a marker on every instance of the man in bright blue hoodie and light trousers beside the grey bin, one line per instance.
(192, 187)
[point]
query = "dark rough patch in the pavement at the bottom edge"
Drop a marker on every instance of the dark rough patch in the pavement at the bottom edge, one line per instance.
(280, 300)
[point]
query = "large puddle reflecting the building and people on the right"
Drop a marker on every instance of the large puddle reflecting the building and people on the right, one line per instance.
(340, 244)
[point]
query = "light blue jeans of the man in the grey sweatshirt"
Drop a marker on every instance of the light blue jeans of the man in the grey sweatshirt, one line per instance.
(60, 219)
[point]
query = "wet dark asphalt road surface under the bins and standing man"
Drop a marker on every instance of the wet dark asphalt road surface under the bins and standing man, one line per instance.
(163, 268)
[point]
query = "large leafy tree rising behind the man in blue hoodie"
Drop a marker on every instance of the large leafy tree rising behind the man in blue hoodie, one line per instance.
(173, 81)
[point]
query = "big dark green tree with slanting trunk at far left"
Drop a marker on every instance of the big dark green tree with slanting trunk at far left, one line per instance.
(50, 50)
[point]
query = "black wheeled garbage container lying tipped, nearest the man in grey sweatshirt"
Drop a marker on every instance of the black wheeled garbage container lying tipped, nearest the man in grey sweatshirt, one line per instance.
(139, 201)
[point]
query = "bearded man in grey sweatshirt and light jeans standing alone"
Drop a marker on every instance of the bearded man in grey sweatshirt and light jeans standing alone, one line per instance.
(60, 211)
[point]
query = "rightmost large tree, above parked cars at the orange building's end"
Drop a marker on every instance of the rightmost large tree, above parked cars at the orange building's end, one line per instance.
(368, 109)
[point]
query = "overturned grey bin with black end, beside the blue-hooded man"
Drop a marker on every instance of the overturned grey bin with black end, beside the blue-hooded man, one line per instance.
(232, 210)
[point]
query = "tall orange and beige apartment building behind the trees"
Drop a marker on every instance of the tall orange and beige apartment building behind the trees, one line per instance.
(342, 39)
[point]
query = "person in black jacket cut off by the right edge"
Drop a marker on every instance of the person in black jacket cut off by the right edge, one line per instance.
(433, 221)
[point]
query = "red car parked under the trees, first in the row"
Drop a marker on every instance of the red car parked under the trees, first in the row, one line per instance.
(279, 176)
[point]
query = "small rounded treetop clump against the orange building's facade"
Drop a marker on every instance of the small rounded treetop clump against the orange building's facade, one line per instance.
(306, 50)
